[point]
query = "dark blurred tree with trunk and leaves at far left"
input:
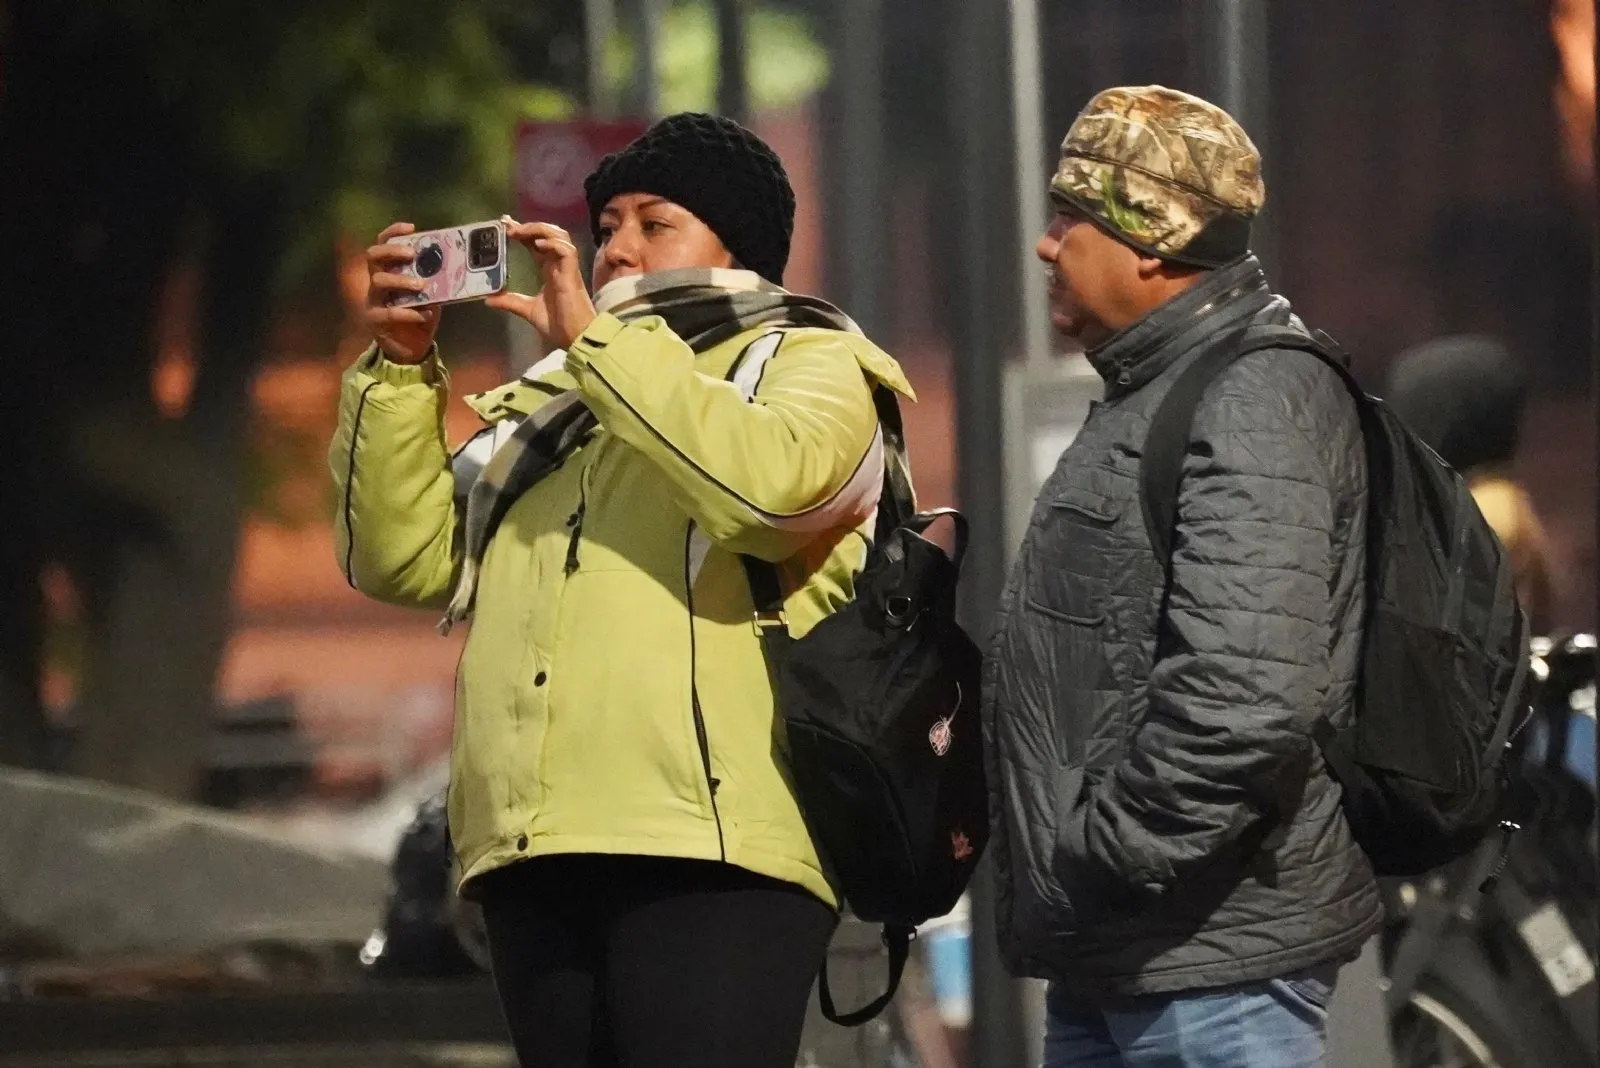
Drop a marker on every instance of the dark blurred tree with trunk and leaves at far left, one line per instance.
(241, 141)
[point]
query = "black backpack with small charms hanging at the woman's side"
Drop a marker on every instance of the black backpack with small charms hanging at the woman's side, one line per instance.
(881, 709)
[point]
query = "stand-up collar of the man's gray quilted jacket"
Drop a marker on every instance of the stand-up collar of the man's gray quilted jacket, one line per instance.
(1142, 351)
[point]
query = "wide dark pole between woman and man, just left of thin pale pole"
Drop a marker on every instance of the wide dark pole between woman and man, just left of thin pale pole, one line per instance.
(978, 57)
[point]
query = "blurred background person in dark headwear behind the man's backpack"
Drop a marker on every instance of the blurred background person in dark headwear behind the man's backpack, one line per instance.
(1465, 396)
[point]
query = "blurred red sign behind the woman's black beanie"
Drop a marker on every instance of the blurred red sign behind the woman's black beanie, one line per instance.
(553, 162)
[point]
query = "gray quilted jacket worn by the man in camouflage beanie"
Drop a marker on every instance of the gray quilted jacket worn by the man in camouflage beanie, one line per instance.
(1164, 819)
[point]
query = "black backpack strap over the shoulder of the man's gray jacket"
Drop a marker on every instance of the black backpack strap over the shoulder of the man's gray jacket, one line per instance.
(1162, 464)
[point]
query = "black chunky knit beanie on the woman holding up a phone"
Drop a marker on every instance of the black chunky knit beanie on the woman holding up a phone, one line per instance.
(716, 169)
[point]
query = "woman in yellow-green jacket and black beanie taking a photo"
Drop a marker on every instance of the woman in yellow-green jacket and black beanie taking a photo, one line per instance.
(620, 802)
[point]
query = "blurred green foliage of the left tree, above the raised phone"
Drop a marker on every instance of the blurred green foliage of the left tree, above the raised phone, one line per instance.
(369, 111)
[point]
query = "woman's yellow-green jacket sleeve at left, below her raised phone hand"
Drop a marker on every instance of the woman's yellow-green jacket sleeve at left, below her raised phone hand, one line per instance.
(391, 468)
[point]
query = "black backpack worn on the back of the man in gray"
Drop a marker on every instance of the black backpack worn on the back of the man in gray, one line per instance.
(1446, 650)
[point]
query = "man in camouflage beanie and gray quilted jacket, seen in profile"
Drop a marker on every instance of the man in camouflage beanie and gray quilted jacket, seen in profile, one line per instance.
(1169, 843)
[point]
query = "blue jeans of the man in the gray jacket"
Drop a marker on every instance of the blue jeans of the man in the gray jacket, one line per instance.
(1274, 1024)
